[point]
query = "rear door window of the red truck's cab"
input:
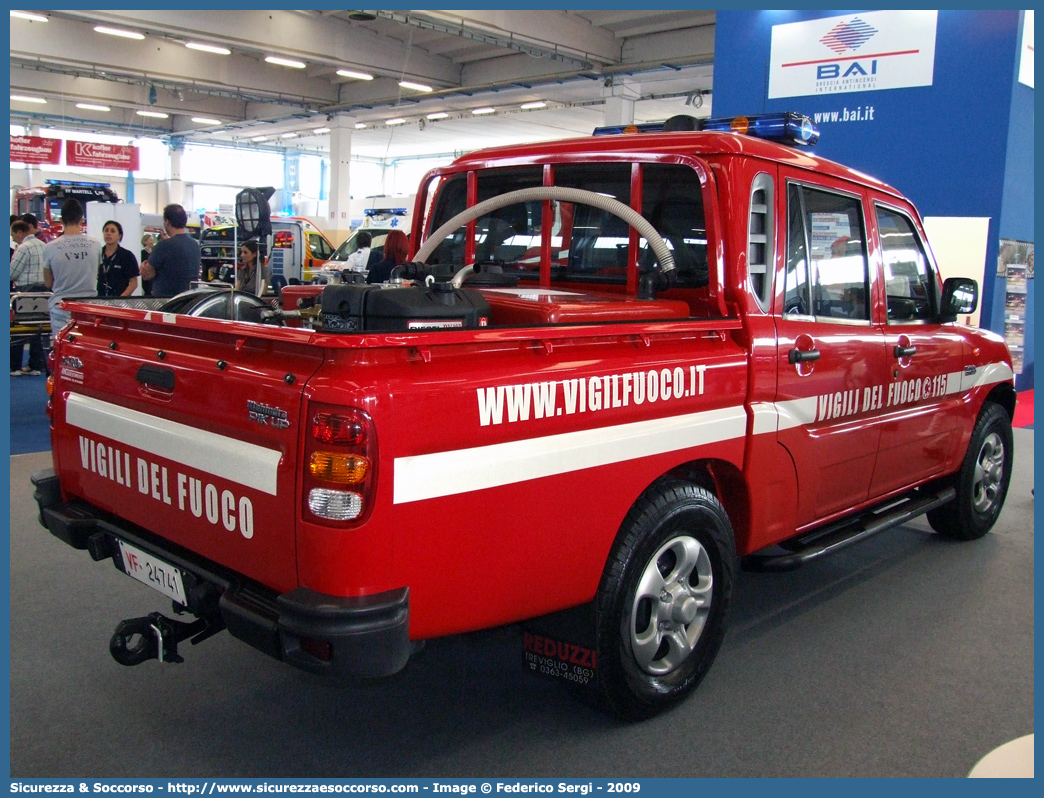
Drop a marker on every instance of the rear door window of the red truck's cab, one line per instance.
(827, 277)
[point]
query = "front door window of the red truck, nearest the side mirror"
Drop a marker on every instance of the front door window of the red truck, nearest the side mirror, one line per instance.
(908, 279)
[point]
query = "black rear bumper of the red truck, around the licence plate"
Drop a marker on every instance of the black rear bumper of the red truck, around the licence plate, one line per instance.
(336, 637)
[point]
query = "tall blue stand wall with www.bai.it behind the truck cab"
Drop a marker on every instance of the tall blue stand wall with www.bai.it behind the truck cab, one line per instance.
(959, 147)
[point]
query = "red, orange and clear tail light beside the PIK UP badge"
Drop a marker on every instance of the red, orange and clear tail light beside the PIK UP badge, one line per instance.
(341, 460)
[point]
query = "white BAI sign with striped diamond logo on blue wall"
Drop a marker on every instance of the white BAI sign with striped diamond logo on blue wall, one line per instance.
(858, 53)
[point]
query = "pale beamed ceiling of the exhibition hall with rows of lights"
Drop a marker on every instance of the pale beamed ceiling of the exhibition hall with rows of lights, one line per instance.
(470, 59)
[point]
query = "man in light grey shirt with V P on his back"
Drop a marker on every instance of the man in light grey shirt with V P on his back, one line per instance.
(70, 265)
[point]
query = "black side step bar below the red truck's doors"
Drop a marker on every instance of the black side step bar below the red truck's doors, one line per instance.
(837, 537)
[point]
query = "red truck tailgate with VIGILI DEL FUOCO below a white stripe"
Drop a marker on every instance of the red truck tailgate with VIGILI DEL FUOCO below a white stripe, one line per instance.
(189, 429)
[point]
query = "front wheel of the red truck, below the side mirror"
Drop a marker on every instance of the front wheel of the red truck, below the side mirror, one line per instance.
(982, 484)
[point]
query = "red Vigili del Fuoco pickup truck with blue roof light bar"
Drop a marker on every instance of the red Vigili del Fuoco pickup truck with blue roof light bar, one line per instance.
(618, 369)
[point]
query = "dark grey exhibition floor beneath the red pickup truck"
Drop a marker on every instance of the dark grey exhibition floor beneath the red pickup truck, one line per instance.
(906, 655)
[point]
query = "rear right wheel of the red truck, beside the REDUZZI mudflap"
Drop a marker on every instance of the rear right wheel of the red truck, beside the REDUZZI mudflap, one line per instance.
(654, 650)
